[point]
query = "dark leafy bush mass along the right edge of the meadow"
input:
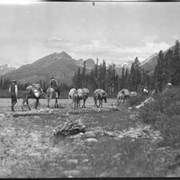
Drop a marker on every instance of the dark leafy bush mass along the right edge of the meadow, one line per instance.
(164, 115)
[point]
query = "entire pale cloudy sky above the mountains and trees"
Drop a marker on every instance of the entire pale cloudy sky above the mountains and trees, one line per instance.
(114, 31)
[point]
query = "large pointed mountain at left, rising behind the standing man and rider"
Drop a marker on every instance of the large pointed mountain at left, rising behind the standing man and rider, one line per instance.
(60, 65)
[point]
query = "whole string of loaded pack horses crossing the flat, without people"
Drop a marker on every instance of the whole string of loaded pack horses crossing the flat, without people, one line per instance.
(76, 95)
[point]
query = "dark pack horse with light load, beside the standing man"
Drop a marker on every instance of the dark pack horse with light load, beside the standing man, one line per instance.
(32, 91)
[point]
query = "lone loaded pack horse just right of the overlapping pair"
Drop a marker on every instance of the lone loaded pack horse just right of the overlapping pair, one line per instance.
(99, 94)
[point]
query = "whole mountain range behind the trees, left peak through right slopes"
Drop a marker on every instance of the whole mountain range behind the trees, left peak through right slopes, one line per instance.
(63, 67)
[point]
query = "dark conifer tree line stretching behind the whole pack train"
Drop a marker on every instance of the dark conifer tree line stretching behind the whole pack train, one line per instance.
(134, 79)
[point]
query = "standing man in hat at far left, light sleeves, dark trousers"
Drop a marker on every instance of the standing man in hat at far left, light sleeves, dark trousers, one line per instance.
(13, 90)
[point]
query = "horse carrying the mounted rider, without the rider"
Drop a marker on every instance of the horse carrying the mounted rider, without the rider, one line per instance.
(51, 93)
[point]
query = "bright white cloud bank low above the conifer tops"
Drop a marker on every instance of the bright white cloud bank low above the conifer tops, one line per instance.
(112, 52)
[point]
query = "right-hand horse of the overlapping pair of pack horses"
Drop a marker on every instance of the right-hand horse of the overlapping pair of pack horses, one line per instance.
(82, 95)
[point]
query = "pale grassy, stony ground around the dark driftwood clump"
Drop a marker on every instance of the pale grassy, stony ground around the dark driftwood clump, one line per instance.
(109, 148)
